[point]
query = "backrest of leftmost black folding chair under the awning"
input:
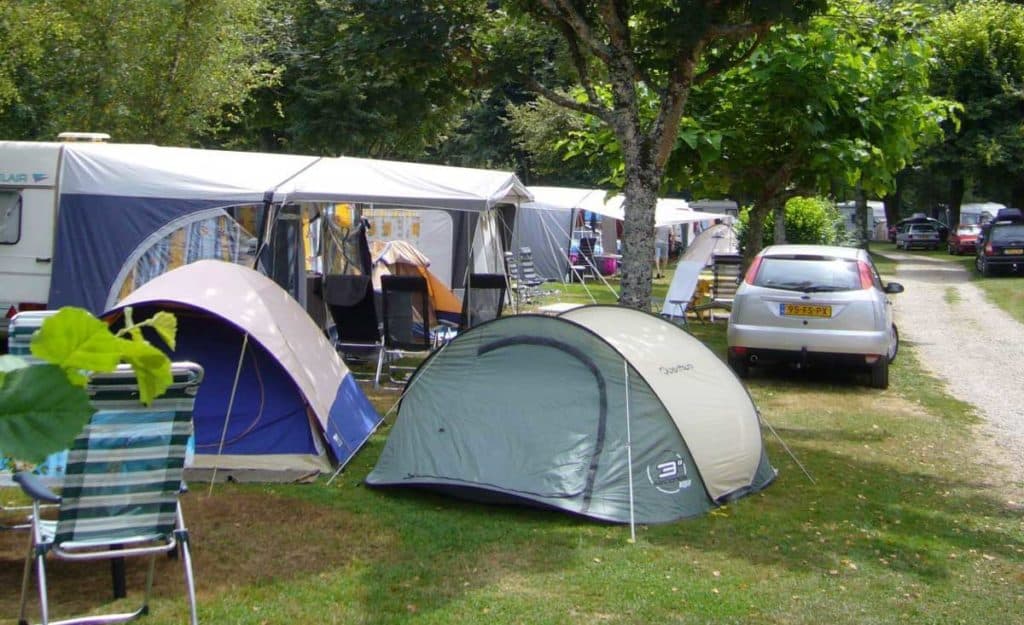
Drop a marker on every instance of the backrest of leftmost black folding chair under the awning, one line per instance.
(353, 306)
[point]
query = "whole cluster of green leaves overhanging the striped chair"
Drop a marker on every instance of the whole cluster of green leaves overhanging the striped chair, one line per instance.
(44, 407)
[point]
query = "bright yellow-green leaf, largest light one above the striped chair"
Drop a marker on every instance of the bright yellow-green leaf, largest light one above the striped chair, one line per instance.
(77, 342)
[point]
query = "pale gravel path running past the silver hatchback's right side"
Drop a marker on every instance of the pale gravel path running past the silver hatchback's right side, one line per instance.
(972, 345)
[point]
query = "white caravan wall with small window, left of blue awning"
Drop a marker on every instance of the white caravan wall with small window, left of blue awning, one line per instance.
(28, 211)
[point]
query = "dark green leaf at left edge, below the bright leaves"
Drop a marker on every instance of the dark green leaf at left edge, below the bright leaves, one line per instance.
(40, 412)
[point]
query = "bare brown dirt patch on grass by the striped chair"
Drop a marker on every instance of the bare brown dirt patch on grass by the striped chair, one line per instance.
(239, 538)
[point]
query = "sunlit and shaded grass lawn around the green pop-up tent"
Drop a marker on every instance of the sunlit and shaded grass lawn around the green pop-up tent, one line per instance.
(902, 524)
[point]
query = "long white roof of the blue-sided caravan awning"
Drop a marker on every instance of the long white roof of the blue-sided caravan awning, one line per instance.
(152, 172)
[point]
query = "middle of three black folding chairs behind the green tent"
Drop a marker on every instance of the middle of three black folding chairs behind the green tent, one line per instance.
(406, 313)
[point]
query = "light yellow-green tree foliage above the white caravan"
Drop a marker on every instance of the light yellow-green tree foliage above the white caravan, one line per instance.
(143, 71)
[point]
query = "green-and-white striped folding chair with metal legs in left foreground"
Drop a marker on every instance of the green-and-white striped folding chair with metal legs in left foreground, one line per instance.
(121, 488)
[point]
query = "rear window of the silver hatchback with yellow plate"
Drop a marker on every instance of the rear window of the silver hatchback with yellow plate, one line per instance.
(808, 274)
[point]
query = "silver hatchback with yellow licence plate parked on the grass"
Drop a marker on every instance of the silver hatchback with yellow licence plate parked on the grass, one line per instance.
(808, 305)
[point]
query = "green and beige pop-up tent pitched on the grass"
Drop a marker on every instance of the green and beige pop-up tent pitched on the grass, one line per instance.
(605, 411)
